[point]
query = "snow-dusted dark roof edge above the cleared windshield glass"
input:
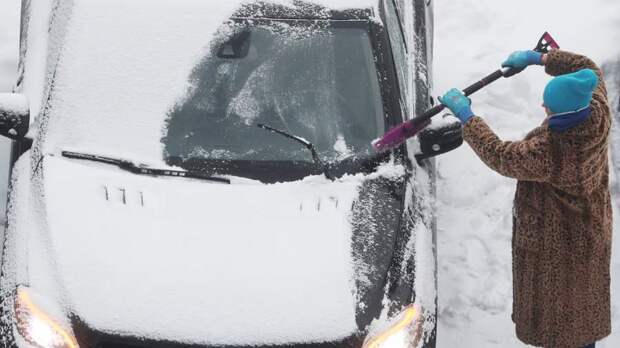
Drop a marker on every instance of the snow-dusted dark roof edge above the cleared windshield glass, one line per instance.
(323, 9)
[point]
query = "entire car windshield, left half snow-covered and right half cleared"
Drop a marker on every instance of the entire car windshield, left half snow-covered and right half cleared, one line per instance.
(190, 88)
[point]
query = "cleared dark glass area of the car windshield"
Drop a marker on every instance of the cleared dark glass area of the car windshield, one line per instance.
(312, 79)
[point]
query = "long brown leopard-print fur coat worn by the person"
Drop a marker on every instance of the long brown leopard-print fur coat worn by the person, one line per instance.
(562, 222)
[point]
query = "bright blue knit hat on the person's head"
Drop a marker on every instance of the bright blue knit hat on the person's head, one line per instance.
(570, 92)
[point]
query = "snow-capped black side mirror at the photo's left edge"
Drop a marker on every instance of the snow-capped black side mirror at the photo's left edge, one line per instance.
(14, 115)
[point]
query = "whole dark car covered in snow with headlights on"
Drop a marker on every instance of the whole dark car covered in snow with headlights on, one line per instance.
(199, 174)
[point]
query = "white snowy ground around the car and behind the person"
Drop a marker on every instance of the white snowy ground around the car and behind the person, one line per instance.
(471, 40)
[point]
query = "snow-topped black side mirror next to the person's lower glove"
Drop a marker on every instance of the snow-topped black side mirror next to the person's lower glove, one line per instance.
(440, 138)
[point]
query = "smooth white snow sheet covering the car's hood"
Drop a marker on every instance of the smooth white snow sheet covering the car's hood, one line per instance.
(202, 262)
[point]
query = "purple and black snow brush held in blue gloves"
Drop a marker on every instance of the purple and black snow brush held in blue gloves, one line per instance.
(408, 129)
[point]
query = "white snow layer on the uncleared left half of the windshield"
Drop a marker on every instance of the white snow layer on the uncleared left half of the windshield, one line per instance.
(124, 65)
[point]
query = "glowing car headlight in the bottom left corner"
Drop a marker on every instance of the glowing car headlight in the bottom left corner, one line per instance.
(38, 328)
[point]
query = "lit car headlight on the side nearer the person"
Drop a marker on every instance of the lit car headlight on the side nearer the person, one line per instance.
(404, 332)
